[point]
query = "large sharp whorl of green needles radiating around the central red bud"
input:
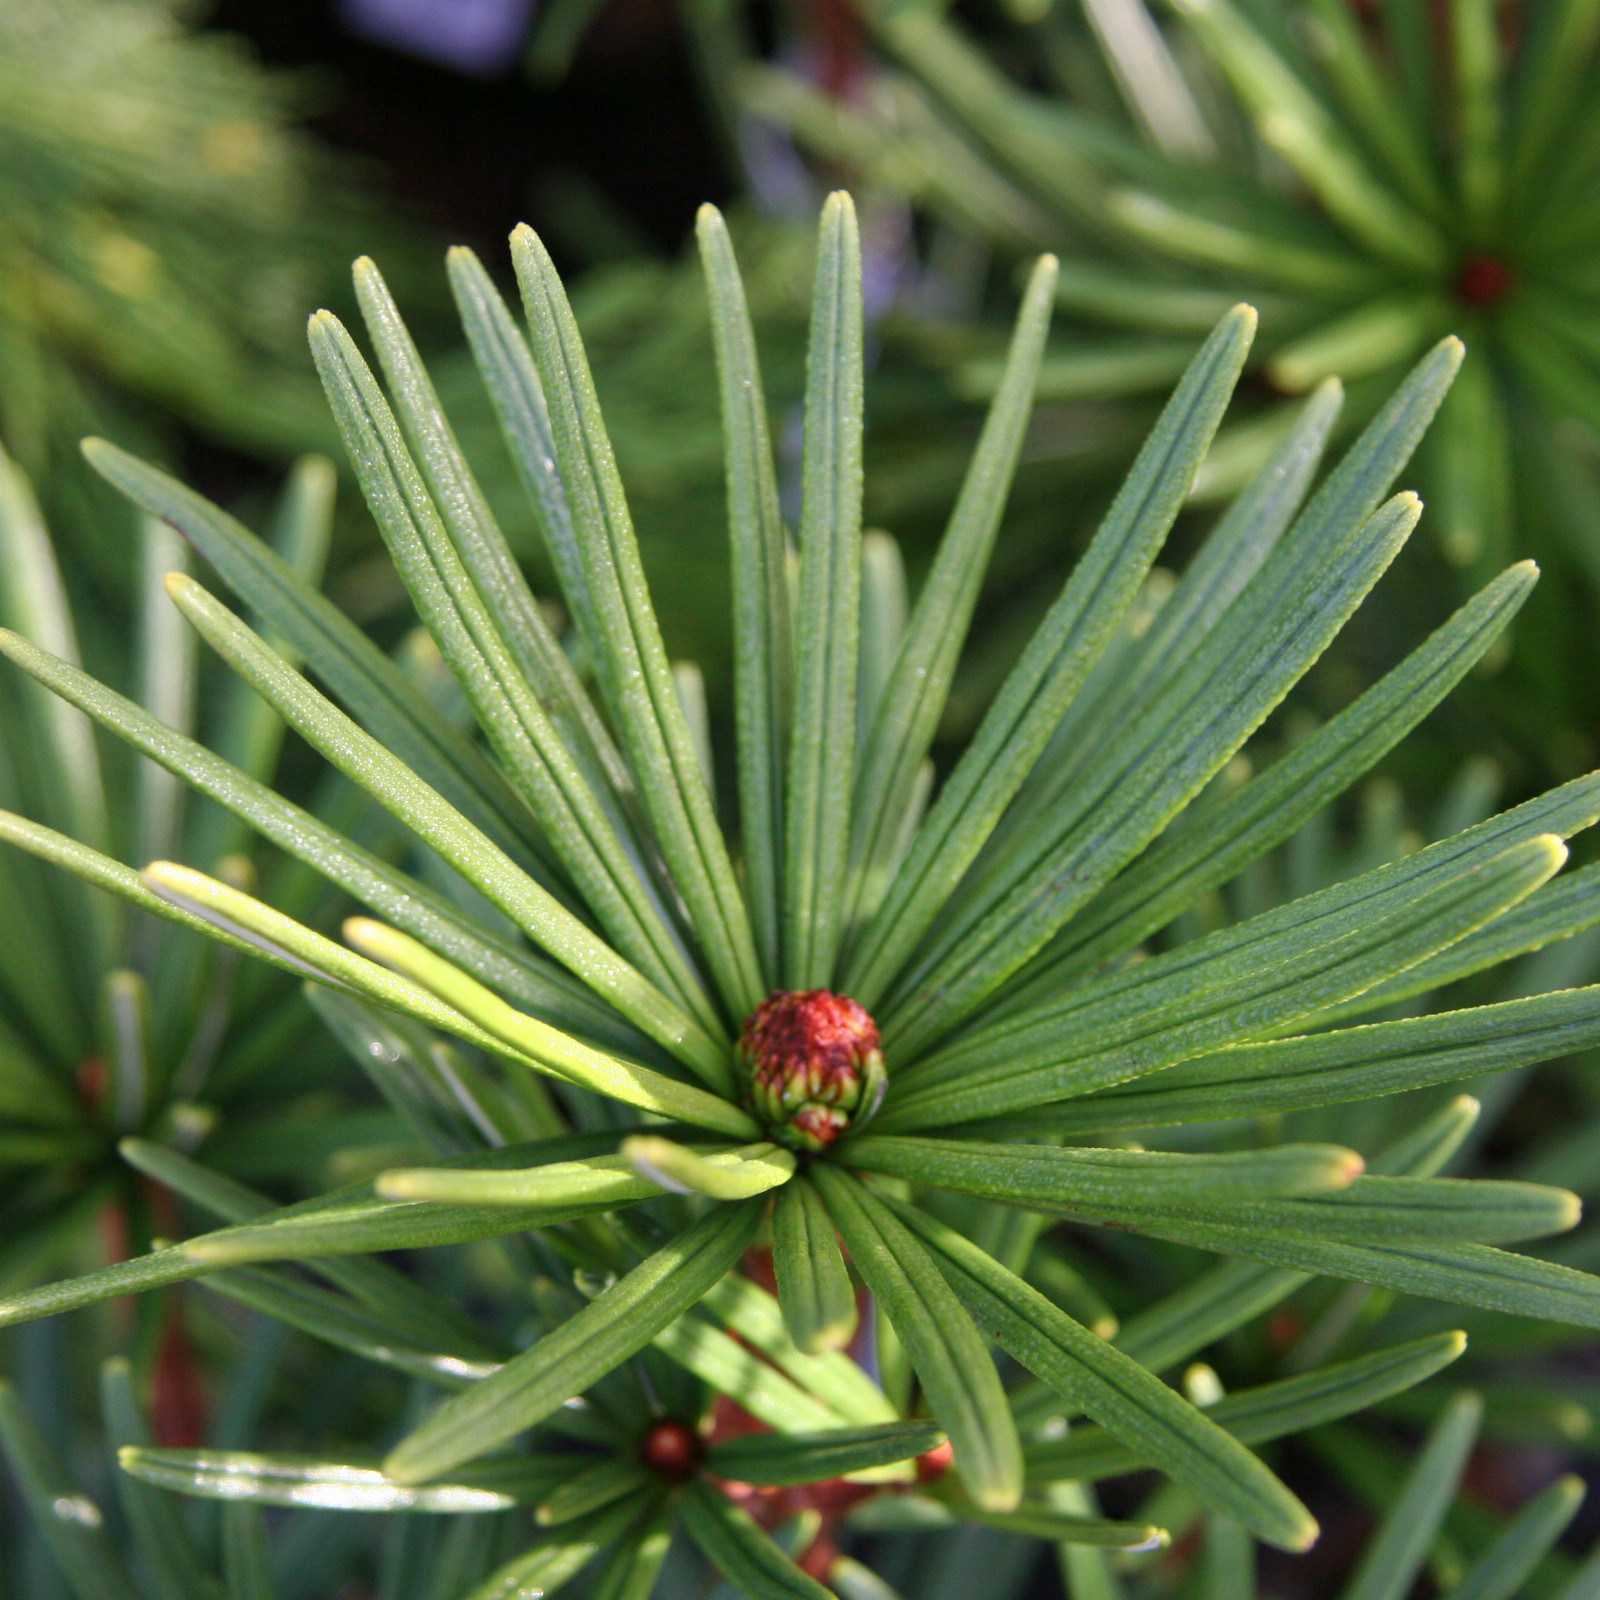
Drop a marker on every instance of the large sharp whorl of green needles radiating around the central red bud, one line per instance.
(982, 937)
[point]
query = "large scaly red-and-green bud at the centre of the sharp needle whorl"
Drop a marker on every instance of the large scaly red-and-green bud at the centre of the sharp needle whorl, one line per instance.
(817, 1066)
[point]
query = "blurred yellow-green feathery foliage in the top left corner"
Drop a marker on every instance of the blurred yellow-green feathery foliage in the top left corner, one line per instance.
(167, 220)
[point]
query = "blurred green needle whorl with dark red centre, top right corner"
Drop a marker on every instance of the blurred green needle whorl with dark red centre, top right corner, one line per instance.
(1366, 175)
